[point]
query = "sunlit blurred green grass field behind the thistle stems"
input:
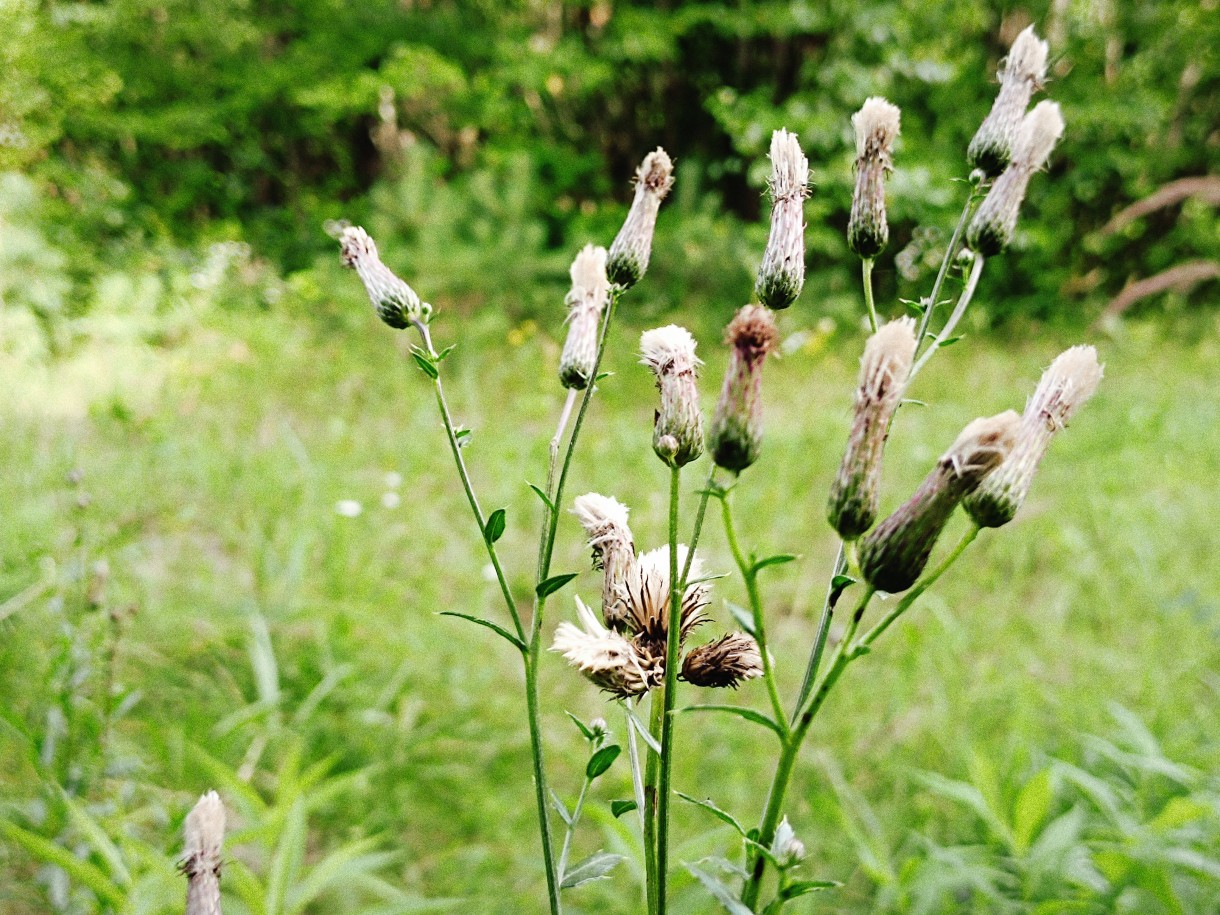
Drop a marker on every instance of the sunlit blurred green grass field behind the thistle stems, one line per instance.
(1064, 675)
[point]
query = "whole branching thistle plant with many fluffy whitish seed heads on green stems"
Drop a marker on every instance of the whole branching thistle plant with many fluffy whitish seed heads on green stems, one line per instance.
(645, 640)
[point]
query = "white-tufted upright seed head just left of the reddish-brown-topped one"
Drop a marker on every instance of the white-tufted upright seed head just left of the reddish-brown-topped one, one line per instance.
(678, 430)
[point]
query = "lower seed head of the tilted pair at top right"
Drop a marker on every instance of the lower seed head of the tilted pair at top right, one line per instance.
(992, 228)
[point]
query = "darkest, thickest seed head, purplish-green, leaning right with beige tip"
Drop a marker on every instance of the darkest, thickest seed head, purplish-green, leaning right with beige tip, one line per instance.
(894, 557)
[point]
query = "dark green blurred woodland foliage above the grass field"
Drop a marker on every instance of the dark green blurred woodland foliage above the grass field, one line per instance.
(504, 129)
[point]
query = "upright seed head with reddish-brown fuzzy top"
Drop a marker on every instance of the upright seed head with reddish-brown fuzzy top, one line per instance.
(737, 426)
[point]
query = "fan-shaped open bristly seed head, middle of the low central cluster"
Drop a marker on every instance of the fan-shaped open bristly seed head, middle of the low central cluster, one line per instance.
(645, 598)
